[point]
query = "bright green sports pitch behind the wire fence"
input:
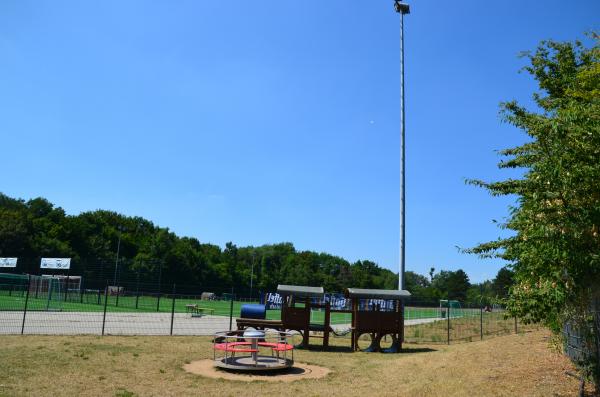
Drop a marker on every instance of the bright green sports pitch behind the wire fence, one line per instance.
(94, 303)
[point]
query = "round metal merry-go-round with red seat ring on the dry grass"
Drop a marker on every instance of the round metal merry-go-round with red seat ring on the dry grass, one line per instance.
(247, 350)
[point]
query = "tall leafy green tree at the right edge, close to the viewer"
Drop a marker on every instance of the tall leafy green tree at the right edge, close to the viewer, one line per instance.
(555, 249)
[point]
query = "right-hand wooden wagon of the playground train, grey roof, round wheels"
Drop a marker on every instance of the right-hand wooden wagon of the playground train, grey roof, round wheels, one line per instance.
(379, 314)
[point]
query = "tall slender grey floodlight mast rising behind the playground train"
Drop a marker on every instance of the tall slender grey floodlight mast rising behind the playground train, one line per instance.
(402, 8)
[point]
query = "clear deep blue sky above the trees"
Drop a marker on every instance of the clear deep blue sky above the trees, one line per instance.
(267, 121)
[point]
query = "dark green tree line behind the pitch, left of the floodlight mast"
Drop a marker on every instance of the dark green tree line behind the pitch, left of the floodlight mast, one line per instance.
(36, 228)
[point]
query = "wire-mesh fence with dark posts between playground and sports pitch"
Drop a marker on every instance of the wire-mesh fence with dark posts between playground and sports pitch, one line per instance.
(62, 305)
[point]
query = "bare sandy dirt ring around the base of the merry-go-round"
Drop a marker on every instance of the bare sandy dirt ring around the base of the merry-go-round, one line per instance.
(299, 371)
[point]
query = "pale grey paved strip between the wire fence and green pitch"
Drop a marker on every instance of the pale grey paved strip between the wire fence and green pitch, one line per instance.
(80, 323)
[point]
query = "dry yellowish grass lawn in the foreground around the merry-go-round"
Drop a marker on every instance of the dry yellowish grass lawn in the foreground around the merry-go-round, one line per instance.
(513, 365)
